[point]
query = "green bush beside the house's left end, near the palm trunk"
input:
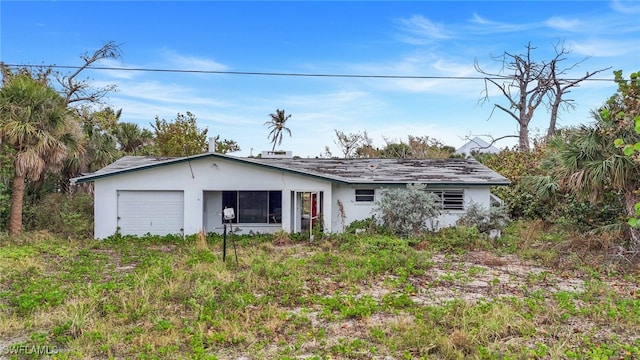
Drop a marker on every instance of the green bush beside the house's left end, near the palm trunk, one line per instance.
(69, 216)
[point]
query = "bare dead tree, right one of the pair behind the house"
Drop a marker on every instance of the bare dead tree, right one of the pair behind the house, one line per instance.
(560, 87)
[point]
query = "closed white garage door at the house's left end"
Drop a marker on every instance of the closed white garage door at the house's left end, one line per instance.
(153, 212)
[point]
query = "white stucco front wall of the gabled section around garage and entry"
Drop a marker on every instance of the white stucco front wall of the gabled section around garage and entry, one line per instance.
(197, 177)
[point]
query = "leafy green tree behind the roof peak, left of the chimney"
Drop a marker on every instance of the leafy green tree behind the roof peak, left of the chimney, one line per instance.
(180, 137)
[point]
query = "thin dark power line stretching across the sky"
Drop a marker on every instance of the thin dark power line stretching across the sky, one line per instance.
(263, 73)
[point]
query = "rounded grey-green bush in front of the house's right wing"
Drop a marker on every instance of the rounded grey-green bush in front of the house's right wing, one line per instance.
(408, 212)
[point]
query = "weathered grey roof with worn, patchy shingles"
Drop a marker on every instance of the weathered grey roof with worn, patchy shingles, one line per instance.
(350, 171)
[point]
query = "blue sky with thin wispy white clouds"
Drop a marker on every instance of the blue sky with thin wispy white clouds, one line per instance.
(418, 38)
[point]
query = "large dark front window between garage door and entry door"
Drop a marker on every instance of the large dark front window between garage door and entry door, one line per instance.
(261, 207)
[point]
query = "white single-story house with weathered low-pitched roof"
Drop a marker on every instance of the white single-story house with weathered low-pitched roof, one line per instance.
(137, 195)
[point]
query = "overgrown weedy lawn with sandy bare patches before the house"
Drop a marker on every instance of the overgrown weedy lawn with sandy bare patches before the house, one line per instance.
(454, 295)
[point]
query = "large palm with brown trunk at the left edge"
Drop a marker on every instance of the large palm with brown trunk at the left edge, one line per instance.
(36, 123)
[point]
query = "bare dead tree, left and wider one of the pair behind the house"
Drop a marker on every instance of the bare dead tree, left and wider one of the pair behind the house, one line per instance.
(525, 89)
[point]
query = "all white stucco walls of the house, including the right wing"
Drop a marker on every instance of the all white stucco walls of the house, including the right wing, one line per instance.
(202, 179)
